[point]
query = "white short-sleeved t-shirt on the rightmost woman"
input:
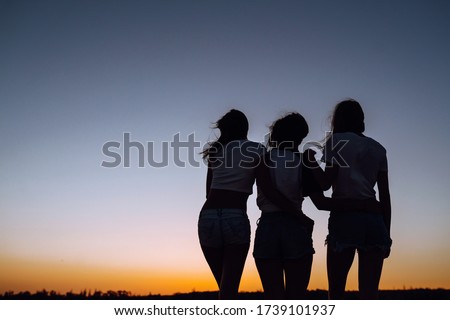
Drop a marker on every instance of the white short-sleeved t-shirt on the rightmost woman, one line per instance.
(360, 159)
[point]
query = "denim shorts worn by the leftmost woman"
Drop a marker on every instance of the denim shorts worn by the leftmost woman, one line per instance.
(223, 227)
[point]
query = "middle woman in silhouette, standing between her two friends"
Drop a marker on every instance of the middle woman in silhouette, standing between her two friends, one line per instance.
(283, 248)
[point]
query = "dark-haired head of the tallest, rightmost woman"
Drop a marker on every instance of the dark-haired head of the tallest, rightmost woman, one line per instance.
(348, 116)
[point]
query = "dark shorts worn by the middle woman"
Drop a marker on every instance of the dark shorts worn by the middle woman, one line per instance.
(281, 235)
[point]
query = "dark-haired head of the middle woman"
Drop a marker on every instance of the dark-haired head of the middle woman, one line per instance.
(288, 131)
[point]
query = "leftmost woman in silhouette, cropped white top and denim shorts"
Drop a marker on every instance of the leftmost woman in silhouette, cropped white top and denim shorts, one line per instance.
(223, 225)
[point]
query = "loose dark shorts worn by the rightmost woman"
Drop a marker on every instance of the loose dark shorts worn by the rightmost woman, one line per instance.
(360, 230)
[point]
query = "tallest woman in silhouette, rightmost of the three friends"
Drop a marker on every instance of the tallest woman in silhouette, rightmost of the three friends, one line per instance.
(355, 163)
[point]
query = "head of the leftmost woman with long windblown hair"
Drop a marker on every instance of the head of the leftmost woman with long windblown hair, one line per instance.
(233, 126)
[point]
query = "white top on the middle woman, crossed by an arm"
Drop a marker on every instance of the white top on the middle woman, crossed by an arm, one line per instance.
(286, 175)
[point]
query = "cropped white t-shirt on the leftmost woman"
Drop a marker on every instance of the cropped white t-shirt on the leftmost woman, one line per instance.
(234, 167)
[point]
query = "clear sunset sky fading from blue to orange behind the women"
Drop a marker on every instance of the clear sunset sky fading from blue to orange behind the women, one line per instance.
(77, 74)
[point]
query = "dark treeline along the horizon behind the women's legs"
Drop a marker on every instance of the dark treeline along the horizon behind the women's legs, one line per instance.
(410, 294)
